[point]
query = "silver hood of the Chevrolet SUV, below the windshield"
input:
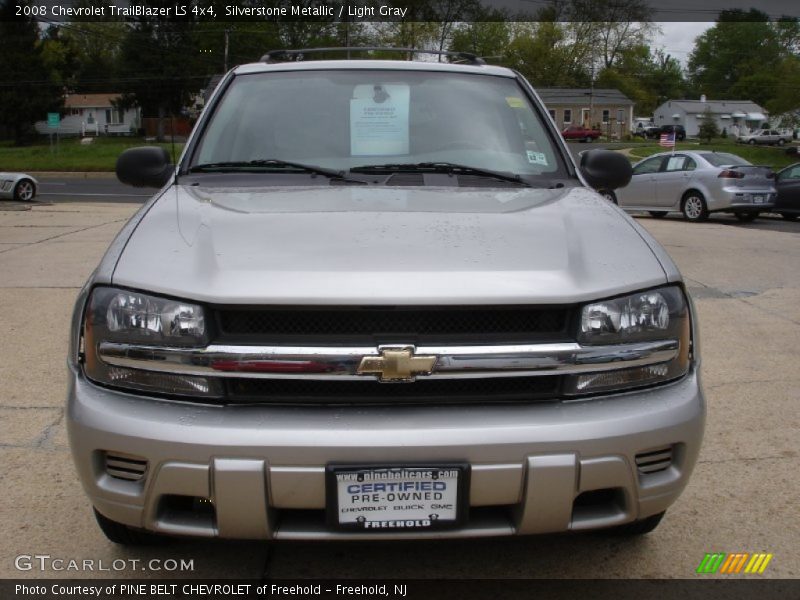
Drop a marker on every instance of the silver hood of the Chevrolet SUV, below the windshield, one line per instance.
(383, 245)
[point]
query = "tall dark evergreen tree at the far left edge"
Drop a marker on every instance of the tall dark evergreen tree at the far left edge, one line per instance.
(27, 92)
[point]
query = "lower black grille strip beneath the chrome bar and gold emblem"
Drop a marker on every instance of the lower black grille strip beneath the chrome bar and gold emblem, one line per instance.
(427, 391)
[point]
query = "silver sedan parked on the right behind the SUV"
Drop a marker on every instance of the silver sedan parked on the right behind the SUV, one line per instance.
(697, 184)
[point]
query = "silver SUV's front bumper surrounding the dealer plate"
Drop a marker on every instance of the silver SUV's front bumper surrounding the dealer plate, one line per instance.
(261, 469)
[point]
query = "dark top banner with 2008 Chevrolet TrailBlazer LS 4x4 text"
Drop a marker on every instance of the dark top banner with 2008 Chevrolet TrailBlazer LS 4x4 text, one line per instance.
(338, 11)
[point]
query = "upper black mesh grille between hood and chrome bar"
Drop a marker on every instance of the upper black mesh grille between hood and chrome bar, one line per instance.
(409, 325)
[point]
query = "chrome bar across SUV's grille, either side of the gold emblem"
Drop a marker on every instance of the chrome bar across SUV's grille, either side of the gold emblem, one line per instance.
(332, 363)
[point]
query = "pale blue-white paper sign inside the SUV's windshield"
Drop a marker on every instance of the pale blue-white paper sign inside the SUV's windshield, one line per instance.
(379, 120)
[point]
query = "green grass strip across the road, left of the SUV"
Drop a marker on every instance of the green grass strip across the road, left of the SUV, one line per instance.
(101, 155)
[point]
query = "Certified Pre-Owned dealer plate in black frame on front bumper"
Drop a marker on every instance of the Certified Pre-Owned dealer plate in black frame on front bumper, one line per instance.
(396, 498)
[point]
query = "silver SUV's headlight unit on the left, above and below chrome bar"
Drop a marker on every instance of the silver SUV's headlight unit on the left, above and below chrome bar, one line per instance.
(126, 317)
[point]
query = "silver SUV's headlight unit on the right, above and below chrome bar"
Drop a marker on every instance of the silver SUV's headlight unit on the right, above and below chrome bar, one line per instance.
(661, 314)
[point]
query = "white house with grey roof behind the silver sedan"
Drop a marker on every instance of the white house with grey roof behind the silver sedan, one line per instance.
(734, 116)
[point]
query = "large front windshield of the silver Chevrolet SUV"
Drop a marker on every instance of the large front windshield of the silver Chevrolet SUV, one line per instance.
(341, 119)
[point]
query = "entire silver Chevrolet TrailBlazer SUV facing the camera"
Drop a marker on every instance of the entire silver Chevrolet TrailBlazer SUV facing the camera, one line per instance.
(377, 299)
